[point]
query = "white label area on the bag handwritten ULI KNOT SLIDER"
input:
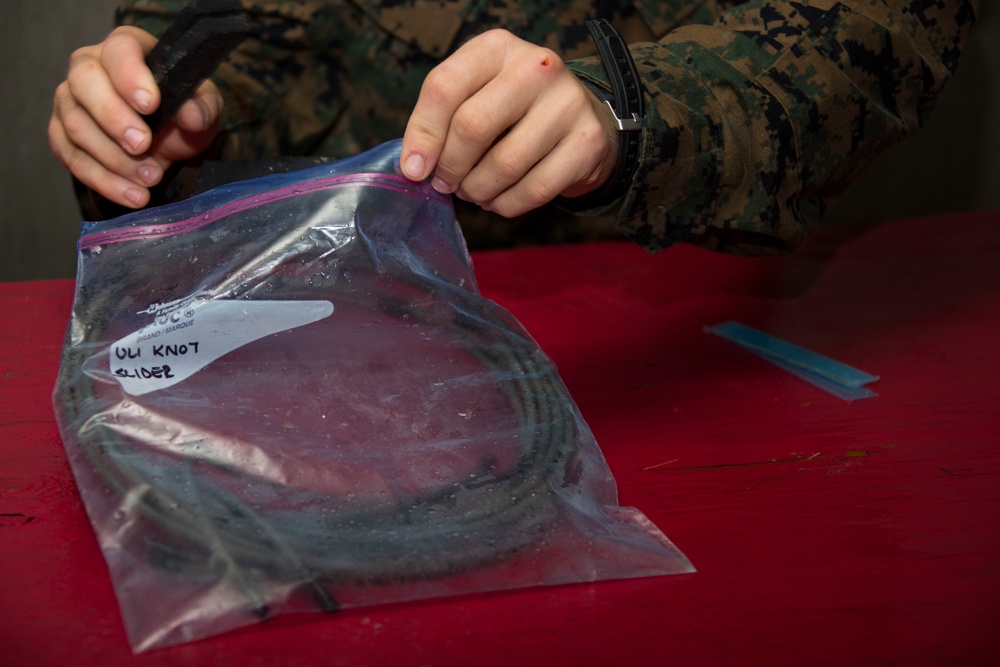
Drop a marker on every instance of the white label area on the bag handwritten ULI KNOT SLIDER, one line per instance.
(187, 336)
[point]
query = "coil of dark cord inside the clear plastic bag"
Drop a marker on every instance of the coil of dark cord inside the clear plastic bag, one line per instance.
(206, 531)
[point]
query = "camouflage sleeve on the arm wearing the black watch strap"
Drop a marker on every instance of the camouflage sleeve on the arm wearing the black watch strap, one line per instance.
(756, 122)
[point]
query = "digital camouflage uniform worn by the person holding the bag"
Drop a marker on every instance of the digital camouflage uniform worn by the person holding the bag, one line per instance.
(757, 113)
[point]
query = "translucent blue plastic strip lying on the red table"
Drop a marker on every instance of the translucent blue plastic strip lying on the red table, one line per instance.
(839, 379)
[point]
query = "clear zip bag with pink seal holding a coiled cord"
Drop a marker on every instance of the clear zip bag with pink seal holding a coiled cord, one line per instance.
(287, 394)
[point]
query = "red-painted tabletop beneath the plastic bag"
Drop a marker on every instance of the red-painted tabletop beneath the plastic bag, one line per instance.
(824, 532)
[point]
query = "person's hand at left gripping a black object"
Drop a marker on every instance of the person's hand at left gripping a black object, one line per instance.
(96, 130)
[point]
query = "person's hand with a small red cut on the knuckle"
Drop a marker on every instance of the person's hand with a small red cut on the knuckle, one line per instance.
(504, 124)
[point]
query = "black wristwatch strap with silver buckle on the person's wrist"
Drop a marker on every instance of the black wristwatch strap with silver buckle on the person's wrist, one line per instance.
(626, 109)
